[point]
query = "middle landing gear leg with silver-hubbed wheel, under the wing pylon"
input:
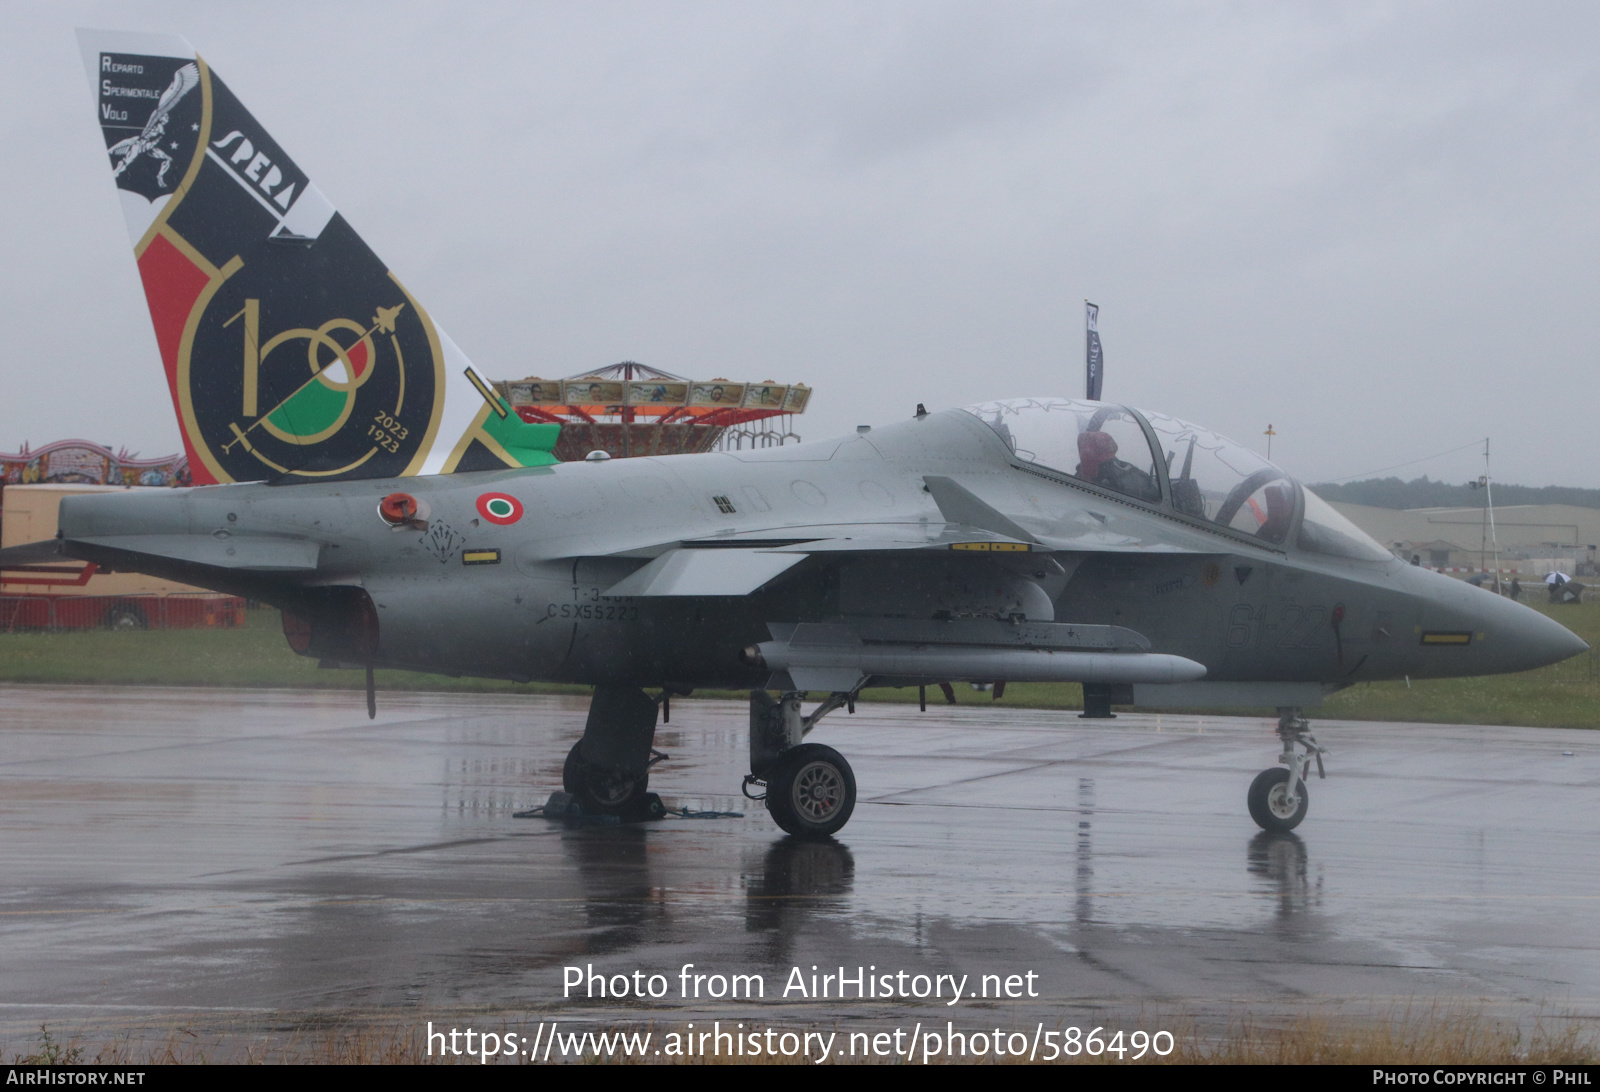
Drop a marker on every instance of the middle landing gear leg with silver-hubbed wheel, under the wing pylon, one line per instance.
(810, 789)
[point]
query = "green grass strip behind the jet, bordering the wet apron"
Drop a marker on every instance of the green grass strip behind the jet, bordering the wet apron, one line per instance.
(1562, 696)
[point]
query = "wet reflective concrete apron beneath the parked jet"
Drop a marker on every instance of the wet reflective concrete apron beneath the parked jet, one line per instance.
(180, 857)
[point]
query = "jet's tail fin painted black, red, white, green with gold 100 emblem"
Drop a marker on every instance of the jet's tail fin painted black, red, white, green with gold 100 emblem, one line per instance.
(292, 351)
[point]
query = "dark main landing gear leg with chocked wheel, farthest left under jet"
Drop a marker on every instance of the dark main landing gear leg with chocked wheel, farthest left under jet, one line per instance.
(609, 769)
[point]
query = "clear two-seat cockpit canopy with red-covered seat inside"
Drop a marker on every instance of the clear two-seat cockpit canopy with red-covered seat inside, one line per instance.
(1206, 476)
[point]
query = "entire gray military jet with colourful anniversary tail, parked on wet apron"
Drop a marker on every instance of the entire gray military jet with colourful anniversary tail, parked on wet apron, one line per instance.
(367, 481)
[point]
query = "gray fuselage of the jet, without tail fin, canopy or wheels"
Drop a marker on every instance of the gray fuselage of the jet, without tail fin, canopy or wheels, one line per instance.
(529, 600)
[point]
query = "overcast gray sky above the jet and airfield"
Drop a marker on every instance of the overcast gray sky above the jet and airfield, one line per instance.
(1370, 225)
